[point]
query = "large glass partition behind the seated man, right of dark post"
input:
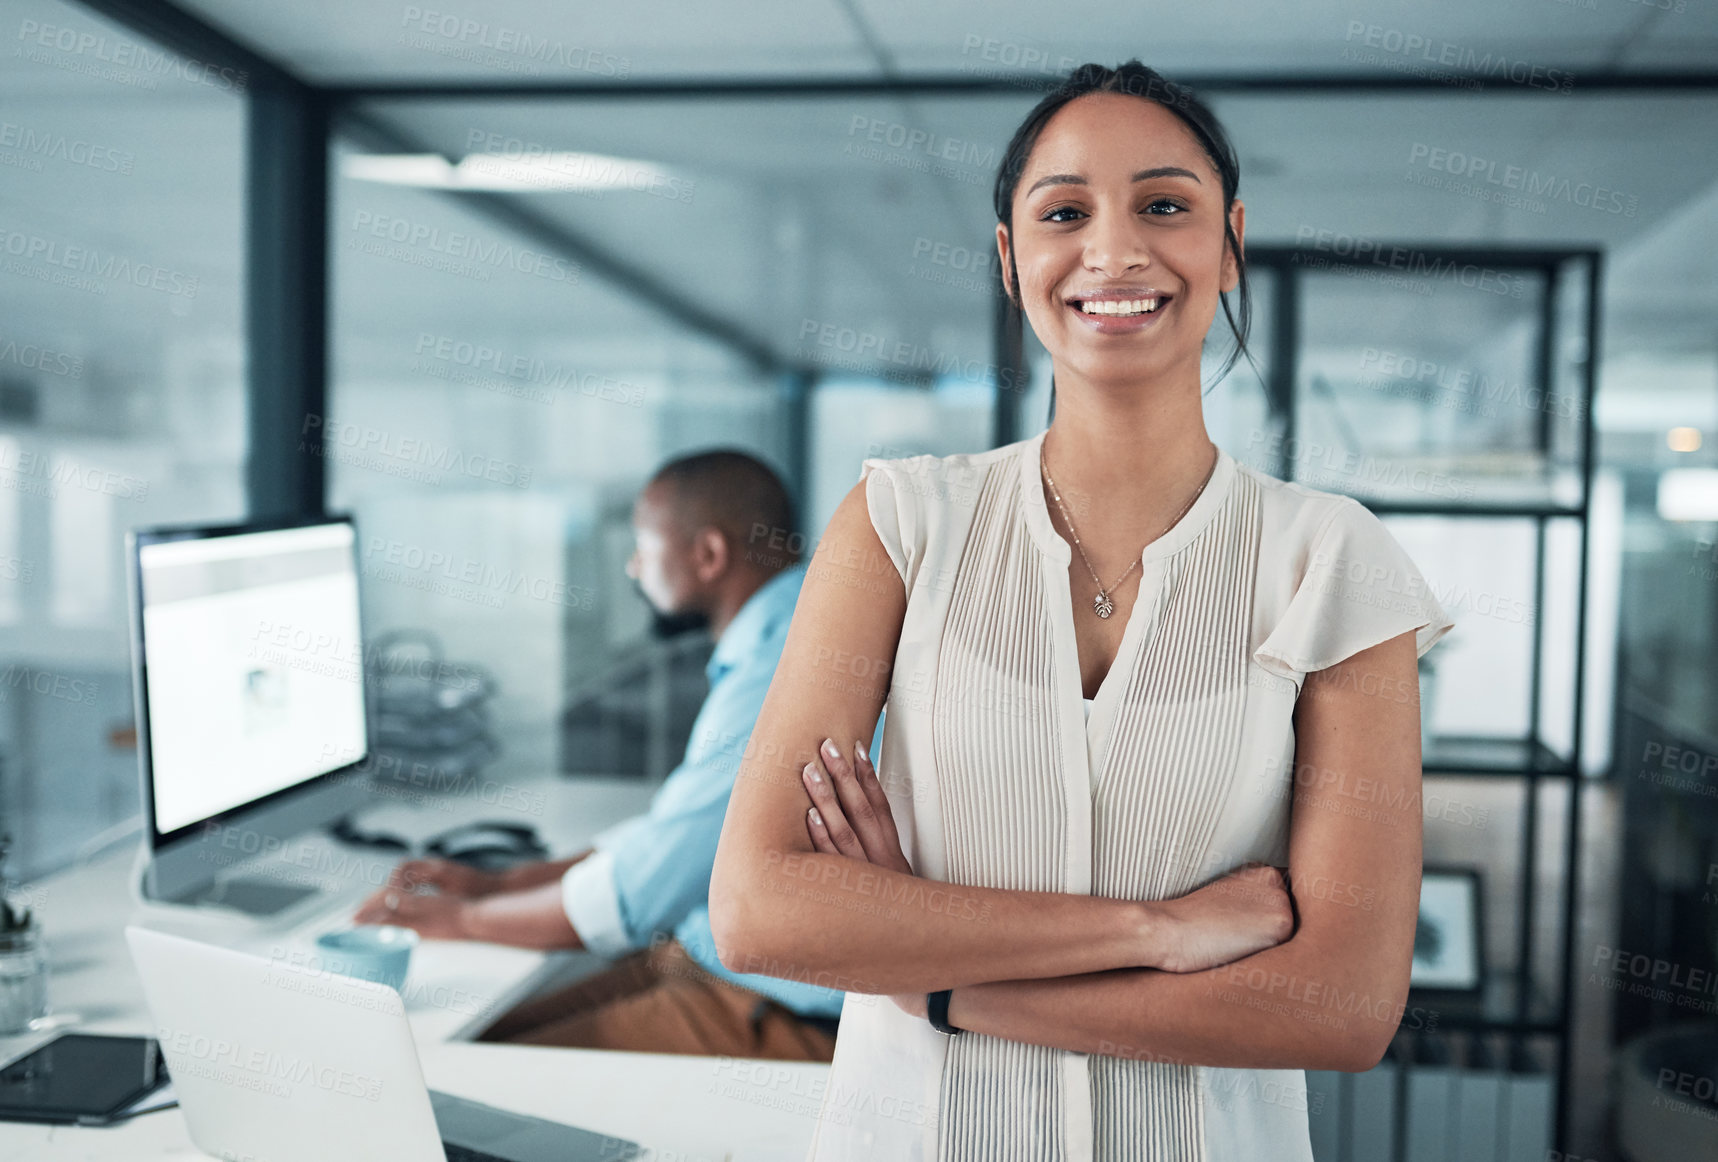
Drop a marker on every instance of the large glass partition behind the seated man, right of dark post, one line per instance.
(566, 295)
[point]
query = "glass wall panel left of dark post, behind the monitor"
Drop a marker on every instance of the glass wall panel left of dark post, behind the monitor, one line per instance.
(123, 365)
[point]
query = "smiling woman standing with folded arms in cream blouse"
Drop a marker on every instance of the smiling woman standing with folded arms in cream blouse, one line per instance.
(1109, 938)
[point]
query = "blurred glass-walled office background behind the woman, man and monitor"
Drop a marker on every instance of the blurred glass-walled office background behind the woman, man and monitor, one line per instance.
(473, 274)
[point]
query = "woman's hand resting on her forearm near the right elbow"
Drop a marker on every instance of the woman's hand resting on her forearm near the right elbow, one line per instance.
(1243, 914)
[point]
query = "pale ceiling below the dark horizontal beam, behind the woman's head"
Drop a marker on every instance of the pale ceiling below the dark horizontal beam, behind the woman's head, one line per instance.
(789, 223)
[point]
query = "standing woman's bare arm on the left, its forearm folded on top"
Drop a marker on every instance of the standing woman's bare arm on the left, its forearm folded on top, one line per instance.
(783, 908)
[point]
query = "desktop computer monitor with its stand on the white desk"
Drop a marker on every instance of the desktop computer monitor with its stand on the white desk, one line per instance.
(248, 673)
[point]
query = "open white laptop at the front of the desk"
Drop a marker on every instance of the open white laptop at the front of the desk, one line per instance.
(276, 1063)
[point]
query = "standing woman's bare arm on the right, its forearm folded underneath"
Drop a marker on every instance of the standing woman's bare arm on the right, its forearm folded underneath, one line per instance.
(1331, 998)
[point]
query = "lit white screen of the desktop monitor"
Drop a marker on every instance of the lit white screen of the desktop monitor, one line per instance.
(252, 664)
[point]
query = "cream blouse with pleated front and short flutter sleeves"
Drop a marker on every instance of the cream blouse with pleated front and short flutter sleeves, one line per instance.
(1181, 774)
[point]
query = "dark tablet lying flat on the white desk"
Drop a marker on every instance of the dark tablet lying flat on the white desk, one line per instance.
(82, 1079)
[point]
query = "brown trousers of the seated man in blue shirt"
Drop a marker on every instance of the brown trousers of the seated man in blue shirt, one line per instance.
(661, 1001)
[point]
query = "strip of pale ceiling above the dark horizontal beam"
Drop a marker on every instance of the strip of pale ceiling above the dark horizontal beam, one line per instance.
(384, 40)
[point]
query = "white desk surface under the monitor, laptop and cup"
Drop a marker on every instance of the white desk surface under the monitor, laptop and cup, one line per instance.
(683, 1110)
